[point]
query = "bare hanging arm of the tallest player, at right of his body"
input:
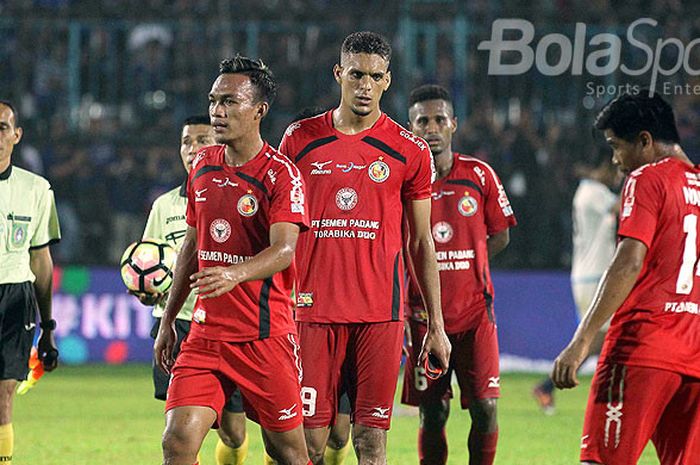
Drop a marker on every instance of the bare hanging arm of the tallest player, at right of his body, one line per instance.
(421, 250)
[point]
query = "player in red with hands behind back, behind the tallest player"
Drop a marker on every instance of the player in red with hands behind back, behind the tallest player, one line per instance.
(470, 218)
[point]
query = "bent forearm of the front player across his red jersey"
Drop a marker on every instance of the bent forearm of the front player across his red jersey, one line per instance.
(217, 280)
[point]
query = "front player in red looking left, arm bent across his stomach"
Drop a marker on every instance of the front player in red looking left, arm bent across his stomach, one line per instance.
(245, 210)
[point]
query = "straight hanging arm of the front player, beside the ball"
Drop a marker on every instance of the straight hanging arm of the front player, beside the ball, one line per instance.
(167, 336)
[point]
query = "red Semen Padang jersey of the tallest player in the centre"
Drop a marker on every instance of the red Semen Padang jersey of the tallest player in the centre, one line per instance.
(350, 262)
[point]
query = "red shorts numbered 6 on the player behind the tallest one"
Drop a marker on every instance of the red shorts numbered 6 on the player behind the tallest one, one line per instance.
(474, 359)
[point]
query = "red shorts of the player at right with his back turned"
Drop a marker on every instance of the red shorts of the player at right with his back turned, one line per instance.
(628, 405)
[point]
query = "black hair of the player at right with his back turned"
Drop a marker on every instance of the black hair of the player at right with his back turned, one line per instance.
(630, 114)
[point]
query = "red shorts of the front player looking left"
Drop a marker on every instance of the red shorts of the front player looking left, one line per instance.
(267, 372)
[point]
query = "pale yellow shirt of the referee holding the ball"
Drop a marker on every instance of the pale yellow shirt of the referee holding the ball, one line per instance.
(166, 223)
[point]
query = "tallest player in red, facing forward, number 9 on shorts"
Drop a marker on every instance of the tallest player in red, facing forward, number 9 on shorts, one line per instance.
(365, 172)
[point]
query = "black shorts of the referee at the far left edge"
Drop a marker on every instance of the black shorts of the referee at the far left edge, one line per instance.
(18, 307)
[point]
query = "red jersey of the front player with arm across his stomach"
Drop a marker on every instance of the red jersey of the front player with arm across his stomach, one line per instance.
(232, 209)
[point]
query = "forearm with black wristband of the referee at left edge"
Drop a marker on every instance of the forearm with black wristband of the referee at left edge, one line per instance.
(41, 265)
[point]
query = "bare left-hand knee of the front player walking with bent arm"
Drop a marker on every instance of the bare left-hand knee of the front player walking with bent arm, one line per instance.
(185, 429)
